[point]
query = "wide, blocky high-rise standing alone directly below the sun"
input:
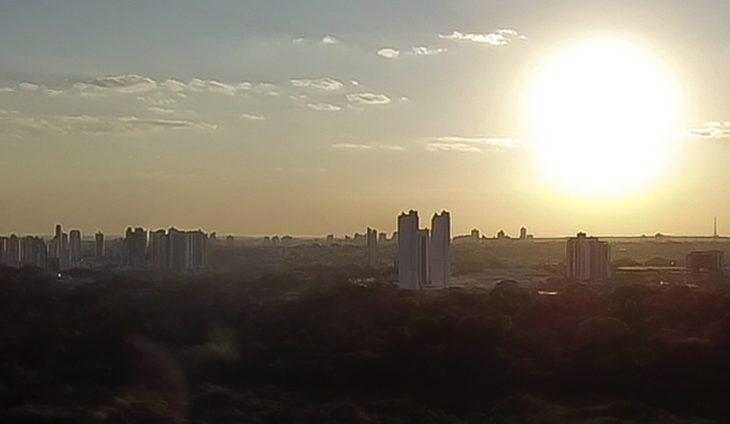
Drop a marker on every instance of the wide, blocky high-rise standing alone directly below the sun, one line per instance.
(587, 259)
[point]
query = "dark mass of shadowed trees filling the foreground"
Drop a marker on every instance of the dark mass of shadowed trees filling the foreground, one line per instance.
(285, 349)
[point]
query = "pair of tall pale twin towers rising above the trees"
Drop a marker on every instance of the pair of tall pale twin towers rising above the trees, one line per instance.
(424, 260)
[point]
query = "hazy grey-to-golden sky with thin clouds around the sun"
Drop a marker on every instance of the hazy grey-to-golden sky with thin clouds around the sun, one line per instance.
(311, 117)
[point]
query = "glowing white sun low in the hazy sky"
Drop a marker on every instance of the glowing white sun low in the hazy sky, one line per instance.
(602, 114)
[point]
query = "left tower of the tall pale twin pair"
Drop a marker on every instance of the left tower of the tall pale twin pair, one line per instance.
(408, 249)
